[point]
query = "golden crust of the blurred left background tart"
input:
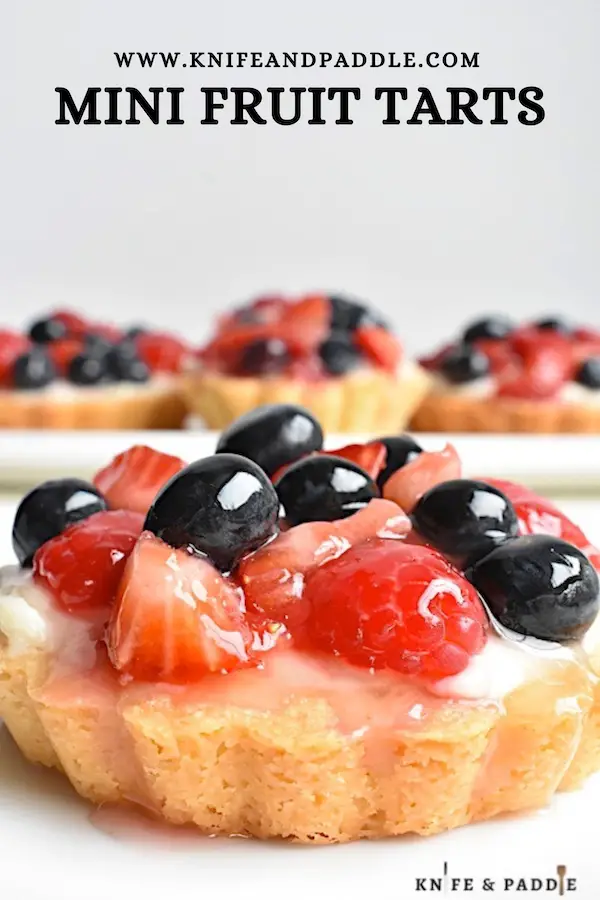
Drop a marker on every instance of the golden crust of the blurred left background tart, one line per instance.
(147, 407)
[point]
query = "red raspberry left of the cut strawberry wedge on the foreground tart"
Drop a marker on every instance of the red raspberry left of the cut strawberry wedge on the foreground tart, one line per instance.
(82, 566)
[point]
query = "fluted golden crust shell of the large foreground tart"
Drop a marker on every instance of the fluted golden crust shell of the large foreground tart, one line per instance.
(292, 771)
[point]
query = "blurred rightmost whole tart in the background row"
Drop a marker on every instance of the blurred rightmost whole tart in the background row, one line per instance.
(541, 377)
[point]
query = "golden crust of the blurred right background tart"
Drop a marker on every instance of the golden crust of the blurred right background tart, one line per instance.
(454, 412)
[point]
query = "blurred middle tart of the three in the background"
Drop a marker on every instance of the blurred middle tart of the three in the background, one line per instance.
(332, 355)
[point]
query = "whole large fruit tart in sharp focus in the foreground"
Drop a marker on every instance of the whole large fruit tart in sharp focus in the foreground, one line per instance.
(278, 641)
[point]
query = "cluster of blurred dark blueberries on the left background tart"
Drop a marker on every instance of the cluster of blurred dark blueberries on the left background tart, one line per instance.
(100, 361)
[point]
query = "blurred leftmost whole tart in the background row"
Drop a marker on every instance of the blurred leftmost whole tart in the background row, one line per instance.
(68, 373)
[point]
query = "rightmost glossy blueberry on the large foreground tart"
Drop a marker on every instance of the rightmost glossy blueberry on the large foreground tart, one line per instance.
(540, 586)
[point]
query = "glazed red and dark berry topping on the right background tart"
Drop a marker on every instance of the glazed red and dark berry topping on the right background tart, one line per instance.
(527, 362)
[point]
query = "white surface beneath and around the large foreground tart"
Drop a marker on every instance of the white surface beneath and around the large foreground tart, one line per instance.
(51, 850)
